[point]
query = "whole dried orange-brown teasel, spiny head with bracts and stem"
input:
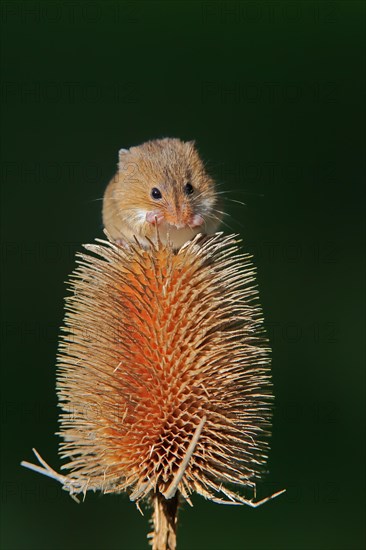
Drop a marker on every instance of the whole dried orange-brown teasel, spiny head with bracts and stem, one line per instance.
(163, 377)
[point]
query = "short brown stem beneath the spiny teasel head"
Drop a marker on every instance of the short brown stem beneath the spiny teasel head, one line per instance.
(164, 521)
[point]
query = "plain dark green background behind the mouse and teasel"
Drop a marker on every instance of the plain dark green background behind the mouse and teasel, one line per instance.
(272, 92)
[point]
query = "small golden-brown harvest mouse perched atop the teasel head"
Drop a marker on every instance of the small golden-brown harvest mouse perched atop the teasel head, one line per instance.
(161, 182)
